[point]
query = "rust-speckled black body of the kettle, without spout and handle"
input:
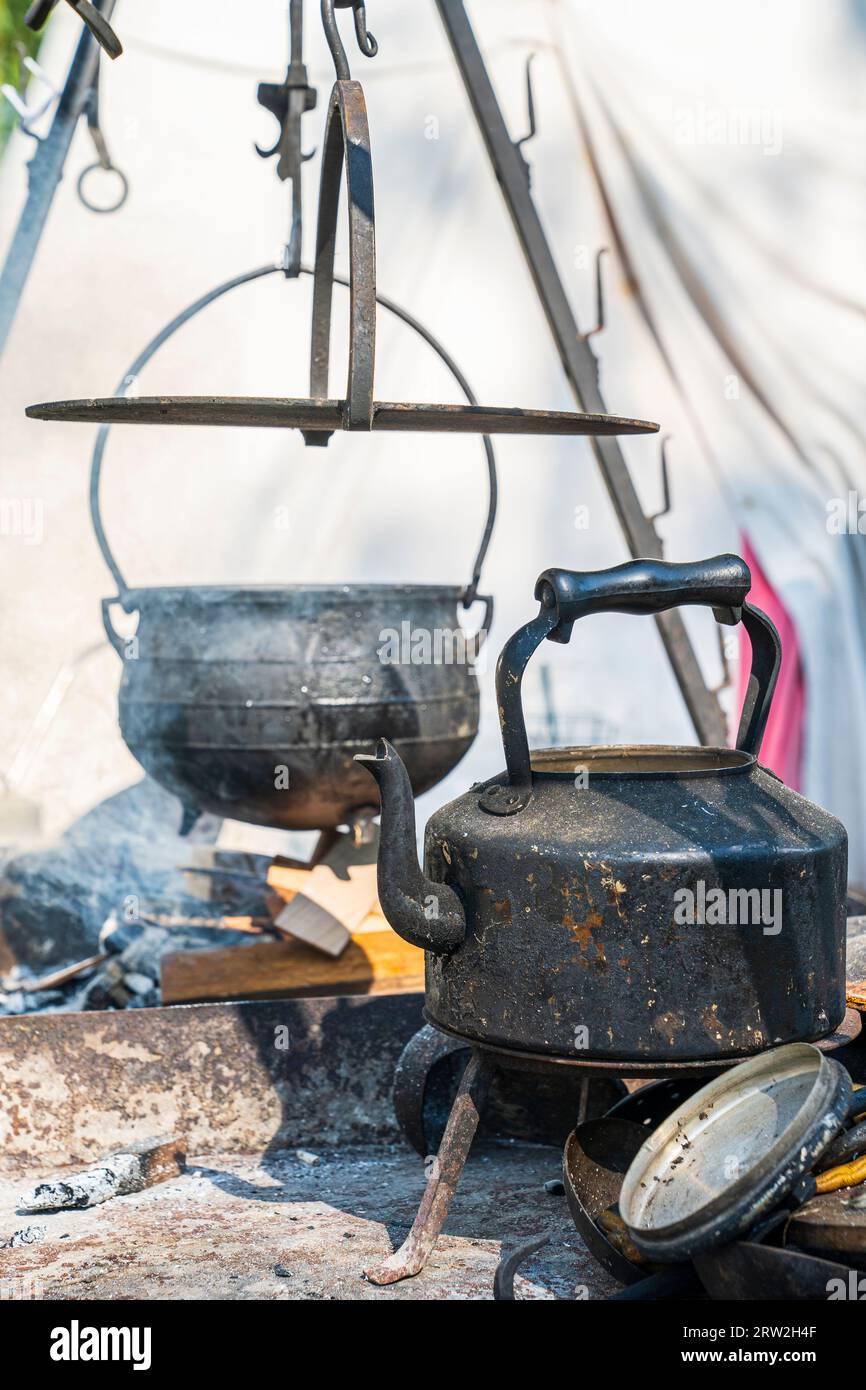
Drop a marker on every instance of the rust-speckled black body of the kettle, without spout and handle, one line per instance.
(693, 911)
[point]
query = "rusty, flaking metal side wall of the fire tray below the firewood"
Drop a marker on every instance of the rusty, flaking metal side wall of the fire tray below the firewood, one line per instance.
(234, 1078)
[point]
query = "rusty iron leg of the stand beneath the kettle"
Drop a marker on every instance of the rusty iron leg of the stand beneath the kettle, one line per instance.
(443, 1184)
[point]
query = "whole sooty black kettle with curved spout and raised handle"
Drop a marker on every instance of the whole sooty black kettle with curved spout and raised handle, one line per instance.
(657, 904)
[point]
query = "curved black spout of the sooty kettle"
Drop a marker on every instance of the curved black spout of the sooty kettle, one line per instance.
(426, 914)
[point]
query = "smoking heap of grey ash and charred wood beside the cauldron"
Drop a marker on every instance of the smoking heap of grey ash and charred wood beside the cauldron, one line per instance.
(85, 922)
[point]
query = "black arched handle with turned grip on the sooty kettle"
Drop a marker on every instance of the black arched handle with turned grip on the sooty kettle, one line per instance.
(721, 583)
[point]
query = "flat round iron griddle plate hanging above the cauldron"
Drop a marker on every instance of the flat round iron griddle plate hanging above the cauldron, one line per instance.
(327, 416)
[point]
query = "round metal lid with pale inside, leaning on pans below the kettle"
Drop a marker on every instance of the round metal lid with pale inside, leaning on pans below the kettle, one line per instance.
(733, 1152)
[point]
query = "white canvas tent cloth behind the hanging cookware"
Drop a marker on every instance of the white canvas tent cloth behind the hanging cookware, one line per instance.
(772, 223)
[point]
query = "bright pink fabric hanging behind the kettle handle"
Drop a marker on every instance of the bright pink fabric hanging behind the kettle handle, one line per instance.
(783, 742)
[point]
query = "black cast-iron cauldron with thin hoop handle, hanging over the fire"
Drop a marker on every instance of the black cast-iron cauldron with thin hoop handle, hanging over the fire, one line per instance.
(251, 701)
